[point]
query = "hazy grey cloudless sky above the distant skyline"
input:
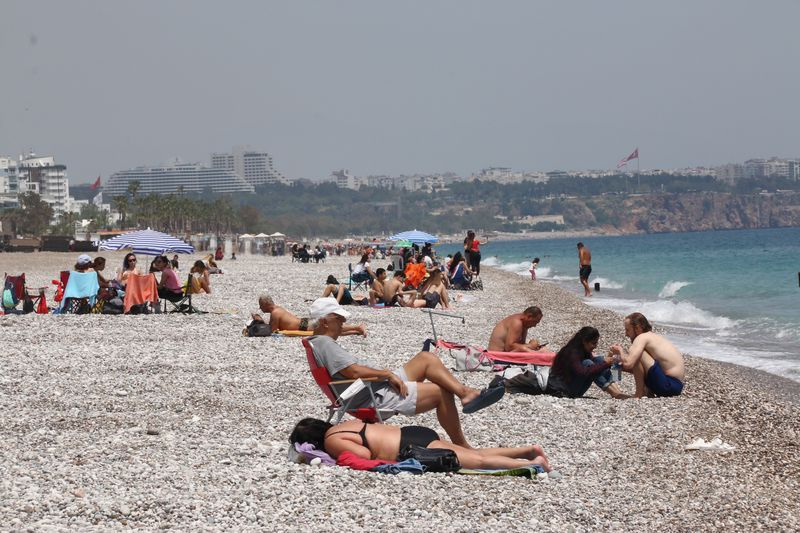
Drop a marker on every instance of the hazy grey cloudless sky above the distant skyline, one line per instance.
(381, 87)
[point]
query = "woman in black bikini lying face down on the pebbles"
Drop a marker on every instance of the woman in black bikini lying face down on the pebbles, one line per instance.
(382, 441)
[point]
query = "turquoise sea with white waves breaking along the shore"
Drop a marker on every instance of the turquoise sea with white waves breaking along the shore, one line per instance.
(729, 295)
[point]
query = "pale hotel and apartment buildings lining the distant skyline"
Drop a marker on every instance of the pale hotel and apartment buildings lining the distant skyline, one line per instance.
(243, 169)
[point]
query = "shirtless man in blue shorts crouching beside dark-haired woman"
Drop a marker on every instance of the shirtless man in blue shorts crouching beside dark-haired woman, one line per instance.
(656, 364)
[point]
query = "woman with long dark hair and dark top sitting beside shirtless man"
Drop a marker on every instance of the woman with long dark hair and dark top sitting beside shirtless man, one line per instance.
(576, 367)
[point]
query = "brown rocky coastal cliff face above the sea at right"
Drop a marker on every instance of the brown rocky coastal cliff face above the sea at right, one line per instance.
(684, 212)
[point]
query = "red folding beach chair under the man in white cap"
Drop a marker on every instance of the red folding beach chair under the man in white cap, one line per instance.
(333, 391)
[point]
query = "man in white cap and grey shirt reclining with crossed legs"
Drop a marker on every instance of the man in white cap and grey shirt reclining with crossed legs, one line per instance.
(421, 385)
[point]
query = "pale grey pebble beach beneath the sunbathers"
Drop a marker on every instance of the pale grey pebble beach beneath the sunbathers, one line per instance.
(172, 422)
